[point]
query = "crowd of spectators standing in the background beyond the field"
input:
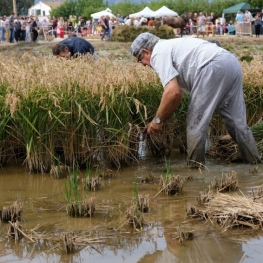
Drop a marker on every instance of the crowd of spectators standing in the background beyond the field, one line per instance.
(21, 28)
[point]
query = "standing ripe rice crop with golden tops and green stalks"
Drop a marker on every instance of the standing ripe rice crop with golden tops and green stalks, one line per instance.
(81, 111)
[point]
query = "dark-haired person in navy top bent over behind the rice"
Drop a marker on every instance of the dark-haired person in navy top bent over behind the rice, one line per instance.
(73, 46)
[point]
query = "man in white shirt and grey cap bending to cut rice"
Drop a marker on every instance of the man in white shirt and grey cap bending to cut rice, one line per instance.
(213, 78)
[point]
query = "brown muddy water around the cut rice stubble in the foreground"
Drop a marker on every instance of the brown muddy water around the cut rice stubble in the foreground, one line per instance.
(44, 203)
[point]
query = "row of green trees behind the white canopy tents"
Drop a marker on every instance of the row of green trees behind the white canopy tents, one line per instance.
(86, 7)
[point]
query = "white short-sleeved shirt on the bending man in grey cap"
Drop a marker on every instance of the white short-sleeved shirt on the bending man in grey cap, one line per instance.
(182, 58)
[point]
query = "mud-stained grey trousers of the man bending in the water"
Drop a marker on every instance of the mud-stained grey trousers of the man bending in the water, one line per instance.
(217, 87)
